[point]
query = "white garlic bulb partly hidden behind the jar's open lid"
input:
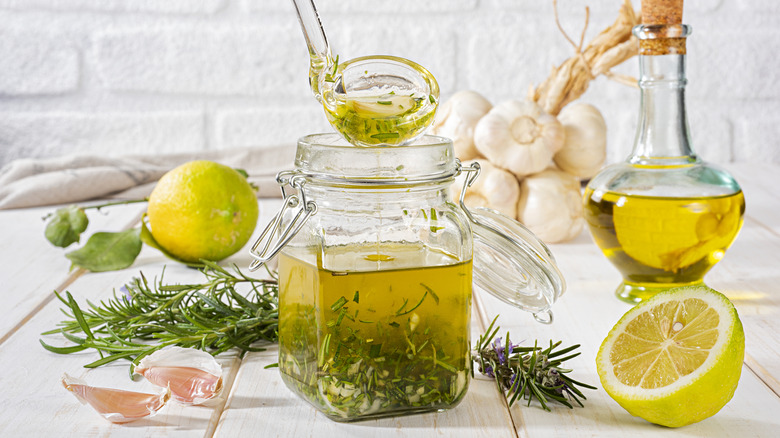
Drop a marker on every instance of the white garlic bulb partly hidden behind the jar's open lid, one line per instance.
(495, 188)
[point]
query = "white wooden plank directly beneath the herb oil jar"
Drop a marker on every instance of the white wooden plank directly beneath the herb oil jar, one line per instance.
(260, 395)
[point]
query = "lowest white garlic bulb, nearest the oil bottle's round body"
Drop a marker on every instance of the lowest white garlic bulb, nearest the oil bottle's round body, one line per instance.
(551, 205)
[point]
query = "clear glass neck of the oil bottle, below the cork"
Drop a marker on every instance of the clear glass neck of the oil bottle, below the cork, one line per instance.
(662, 138)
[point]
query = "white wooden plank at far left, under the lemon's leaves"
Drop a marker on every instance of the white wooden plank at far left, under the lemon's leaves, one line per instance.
(31, 268)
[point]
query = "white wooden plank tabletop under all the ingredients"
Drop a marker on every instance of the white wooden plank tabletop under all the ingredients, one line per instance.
(34, 404)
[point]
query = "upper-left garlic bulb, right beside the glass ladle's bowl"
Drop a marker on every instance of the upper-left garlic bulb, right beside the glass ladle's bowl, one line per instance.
(457, 118)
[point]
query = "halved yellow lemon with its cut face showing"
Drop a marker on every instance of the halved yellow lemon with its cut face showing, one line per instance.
(676, 358)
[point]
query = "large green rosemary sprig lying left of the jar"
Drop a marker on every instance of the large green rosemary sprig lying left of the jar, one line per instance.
(212, 316)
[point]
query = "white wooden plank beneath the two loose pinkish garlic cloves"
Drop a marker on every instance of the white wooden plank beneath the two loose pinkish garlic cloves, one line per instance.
(35, 404)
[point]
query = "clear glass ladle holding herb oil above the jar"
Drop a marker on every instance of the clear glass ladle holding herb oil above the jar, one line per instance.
(371, 100)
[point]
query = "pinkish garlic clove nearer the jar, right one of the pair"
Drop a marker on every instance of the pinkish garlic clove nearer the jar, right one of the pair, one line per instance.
(194, 376)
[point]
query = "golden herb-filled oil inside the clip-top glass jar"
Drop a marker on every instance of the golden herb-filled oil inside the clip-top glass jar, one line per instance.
(388, 335)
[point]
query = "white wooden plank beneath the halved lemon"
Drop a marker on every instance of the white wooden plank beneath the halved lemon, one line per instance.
(584, 315)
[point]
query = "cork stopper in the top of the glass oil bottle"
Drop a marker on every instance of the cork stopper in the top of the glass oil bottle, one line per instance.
(663, 16)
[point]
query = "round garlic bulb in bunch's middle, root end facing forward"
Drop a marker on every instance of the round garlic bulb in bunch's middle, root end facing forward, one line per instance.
(519, 136)
